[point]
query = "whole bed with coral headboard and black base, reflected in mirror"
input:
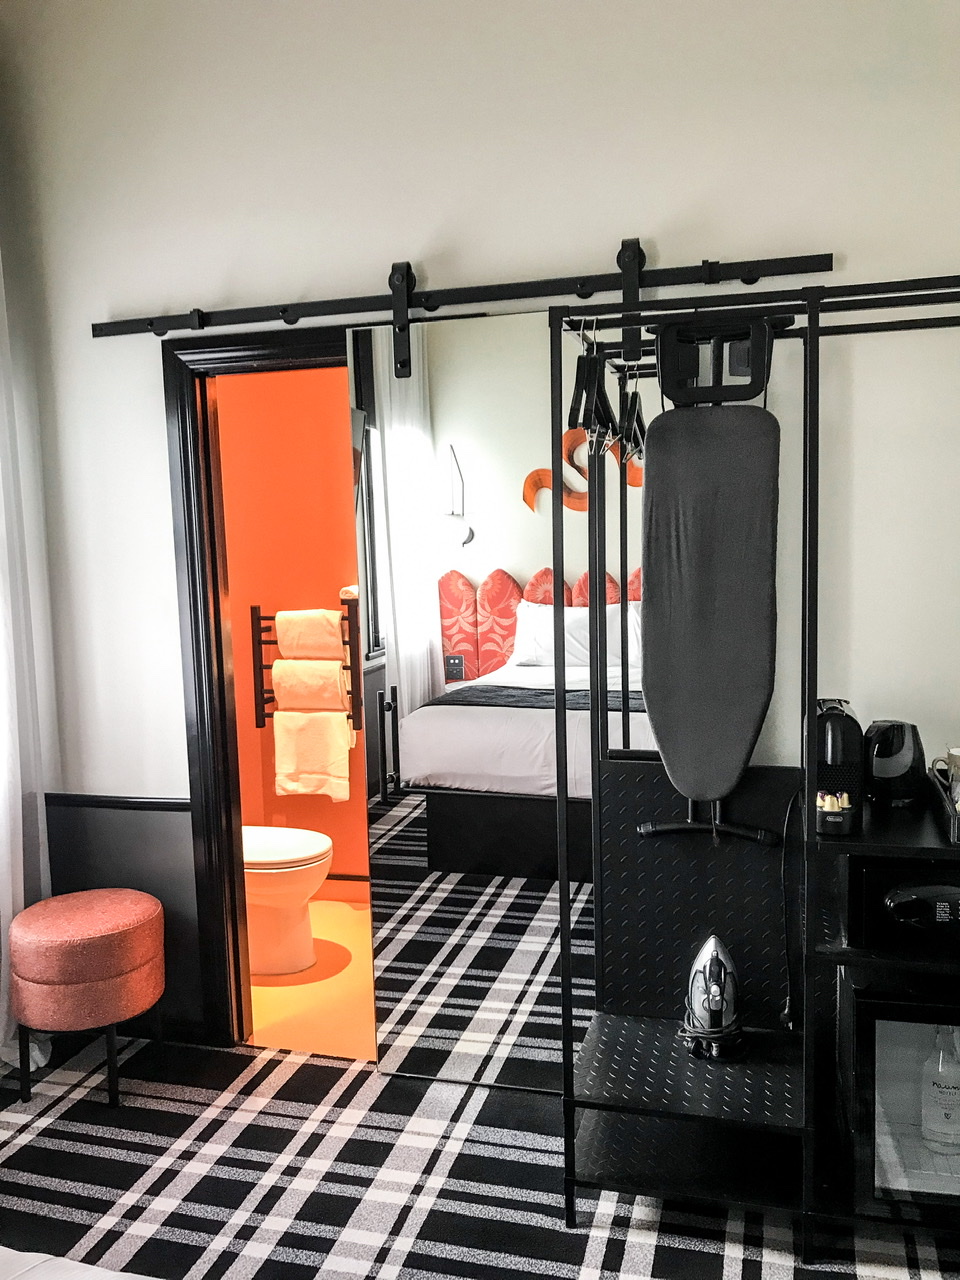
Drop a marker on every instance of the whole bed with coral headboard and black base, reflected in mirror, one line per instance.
(484, 752)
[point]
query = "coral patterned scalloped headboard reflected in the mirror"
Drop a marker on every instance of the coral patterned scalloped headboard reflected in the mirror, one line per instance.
(481, 623)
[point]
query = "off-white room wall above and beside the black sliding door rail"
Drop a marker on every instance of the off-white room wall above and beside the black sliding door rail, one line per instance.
(241, 152)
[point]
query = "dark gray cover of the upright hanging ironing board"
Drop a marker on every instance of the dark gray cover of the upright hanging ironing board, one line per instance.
(710, 605)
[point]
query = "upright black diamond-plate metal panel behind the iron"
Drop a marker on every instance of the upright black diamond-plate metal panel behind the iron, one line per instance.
(660, 897)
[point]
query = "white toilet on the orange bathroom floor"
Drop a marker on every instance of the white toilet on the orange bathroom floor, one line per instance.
(284, 868)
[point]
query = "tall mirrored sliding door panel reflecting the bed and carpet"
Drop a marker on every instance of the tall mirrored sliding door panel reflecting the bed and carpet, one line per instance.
(468, 938)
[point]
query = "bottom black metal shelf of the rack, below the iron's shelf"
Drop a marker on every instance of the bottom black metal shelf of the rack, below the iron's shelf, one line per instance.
(642, 1155)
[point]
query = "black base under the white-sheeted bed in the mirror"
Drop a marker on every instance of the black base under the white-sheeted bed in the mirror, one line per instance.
(490, 834)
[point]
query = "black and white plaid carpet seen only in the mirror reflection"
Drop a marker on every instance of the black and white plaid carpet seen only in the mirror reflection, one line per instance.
(468, 967)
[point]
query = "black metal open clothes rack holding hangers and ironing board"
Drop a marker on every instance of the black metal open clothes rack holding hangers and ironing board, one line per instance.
(639, 1116)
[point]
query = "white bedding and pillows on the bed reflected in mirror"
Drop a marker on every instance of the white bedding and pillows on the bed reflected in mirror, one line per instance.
(510, 749)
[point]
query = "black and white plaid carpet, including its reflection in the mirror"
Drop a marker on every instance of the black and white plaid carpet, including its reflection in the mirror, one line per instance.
(264, 1165)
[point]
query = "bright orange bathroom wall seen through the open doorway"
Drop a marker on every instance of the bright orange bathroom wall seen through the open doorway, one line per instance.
(290, 532)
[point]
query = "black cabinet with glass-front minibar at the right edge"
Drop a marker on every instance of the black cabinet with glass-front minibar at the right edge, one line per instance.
(898, 971)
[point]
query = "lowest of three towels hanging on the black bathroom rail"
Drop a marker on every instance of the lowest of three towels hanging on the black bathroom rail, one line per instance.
(312, 753)
